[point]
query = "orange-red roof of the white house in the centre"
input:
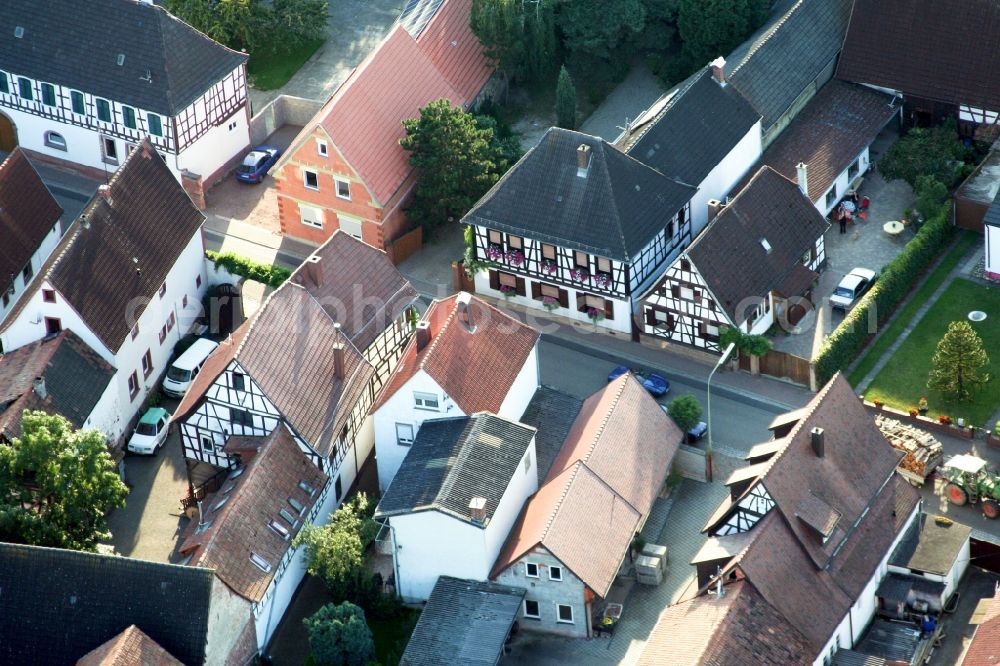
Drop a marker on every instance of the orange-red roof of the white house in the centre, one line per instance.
(476, 367)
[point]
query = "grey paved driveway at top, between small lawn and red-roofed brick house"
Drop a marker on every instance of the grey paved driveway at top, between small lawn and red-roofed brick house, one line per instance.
(354, 28)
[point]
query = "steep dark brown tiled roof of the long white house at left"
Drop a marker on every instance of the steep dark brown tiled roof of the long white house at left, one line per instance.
(130, 241)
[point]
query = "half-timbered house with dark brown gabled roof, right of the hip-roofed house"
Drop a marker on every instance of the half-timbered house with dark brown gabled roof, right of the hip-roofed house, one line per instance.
(750, 268)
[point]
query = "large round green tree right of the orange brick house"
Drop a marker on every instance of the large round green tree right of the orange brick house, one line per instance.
(458, 156)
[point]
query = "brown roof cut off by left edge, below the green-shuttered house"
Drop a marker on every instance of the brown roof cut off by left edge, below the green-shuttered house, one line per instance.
(27, 214)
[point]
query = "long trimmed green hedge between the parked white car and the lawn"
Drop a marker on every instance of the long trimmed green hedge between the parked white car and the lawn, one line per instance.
(844, 344)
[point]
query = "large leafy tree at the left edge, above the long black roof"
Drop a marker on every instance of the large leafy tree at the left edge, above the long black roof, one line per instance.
(57, 484)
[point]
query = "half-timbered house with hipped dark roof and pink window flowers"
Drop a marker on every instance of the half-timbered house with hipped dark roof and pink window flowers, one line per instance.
(580, 228)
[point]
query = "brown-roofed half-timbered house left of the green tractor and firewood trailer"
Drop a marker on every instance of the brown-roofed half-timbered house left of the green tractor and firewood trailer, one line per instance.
(806, 523)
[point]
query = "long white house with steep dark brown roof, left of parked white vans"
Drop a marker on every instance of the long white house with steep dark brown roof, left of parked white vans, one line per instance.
(127, 278)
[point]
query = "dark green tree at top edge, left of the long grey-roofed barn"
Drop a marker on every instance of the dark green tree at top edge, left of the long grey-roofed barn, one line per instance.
(710, 28)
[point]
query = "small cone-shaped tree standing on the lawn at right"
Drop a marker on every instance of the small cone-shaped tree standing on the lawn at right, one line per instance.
(957, 364)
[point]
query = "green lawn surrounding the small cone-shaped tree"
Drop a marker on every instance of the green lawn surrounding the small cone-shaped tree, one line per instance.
(903, 380)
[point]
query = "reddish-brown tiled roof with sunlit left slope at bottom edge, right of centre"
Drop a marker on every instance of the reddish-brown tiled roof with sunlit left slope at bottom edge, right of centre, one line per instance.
(740, 628)
